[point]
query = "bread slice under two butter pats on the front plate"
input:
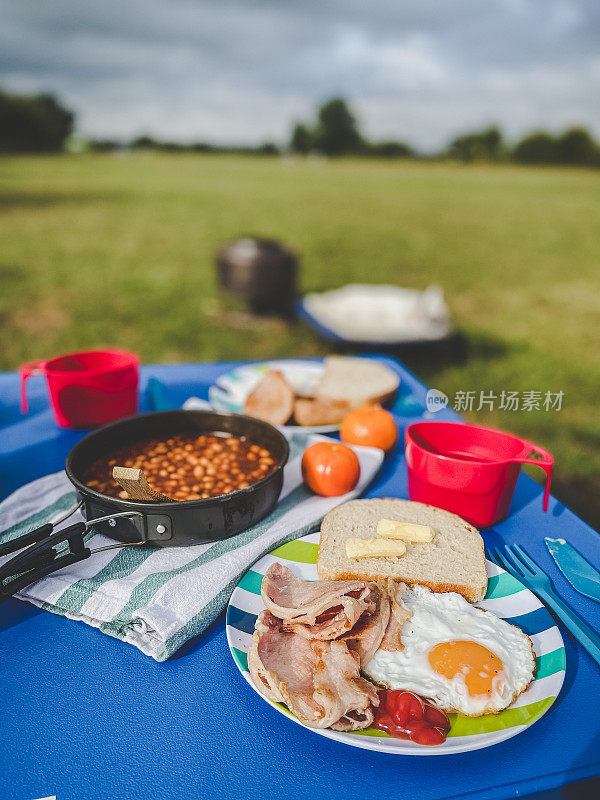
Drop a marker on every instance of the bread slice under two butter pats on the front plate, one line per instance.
(453, 562)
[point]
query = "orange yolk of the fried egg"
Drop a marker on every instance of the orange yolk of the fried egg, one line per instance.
(478, 665)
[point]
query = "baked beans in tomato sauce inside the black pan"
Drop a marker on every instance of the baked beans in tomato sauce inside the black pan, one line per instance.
(186, 466)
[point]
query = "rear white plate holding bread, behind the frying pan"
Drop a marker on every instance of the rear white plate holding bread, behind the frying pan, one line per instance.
(231, 390)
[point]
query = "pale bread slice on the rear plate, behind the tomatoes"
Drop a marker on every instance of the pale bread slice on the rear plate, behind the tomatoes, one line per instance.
(358, 380)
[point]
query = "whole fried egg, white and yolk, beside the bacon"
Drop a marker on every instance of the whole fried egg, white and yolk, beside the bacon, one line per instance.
(460, 657)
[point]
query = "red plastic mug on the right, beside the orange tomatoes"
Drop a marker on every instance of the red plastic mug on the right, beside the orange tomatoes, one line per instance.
(469, 470)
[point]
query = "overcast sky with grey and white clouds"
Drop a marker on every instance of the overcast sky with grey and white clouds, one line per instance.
(237, 71)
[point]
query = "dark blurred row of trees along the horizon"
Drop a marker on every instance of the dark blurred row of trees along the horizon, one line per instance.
(40, 124)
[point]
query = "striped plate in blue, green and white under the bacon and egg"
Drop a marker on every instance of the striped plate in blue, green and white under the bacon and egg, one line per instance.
(506, 597)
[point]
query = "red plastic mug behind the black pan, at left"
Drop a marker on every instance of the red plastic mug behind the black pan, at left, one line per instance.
(87, 389)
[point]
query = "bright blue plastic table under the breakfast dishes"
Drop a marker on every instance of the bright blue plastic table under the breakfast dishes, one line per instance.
(86, 717)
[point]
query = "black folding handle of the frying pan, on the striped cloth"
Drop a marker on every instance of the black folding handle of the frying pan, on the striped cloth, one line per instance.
(39, 557)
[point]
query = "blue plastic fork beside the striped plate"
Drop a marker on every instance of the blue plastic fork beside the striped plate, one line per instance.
(516, 561)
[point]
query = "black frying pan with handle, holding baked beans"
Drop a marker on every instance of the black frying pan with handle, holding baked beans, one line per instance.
(142, 523)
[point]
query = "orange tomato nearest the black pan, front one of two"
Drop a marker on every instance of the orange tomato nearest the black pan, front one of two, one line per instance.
(330, 469)
